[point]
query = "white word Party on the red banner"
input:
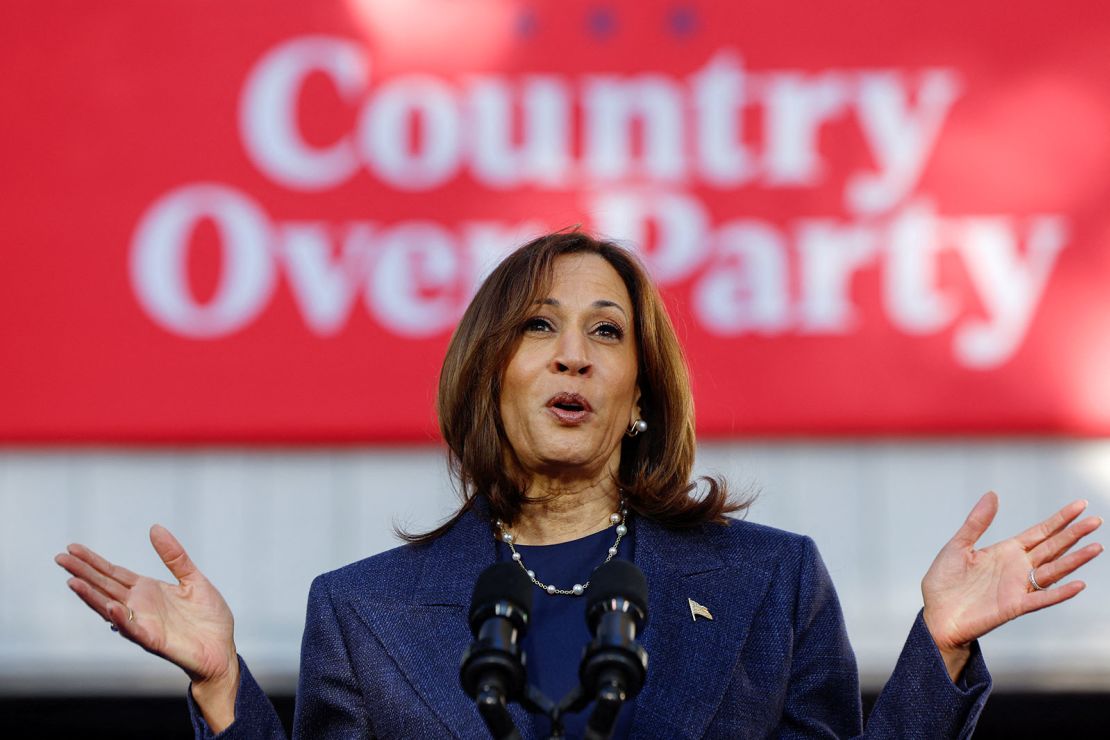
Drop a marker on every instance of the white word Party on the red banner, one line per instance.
(752, 266)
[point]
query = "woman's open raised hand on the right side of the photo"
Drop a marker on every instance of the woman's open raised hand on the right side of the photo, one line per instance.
(971, 592)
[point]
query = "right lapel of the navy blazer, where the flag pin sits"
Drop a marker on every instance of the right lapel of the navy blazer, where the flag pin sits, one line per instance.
(690, 661)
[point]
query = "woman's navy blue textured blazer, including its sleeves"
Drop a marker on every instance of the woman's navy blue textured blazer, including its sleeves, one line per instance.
(385, 636)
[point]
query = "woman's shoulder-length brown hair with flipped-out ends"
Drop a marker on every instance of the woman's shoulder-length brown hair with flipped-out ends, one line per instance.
(655, 467)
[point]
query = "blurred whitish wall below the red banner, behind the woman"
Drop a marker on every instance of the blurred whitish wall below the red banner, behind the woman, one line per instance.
(263, 523)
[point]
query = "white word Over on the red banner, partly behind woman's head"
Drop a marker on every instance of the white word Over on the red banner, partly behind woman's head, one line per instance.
(416, 278)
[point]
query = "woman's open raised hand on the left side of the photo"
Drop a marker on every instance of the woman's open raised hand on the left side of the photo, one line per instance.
(188, 623)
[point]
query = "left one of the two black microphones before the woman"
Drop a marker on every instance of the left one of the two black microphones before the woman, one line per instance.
(493, 667)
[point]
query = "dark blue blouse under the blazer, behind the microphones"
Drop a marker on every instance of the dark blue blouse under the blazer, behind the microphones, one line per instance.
(559, 634)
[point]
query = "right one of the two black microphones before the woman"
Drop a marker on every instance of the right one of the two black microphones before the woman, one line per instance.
(614, 665)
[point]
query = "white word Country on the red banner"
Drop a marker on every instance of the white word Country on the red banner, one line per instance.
(467, 127)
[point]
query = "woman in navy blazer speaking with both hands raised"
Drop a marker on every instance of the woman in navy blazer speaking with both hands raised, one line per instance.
(566, 406)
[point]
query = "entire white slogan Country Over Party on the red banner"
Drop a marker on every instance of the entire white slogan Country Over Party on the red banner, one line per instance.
(638, 145)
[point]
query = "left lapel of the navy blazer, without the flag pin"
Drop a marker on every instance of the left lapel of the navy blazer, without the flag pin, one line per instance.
(430, 632)
